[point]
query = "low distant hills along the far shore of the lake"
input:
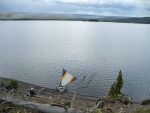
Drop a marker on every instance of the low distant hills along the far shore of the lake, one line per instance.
(71, 17)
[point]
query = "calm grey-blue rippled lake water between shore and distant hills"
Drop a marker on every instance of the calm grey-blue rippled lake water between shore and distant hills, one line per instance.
(36, 51)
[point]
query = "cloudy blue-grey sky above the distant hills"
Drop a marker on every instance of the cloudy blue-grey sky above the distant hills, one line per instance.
(132, 8)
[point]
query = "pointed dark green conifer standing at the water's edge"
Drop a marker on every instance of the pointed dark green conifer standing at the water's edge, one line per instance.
(115, 90)
